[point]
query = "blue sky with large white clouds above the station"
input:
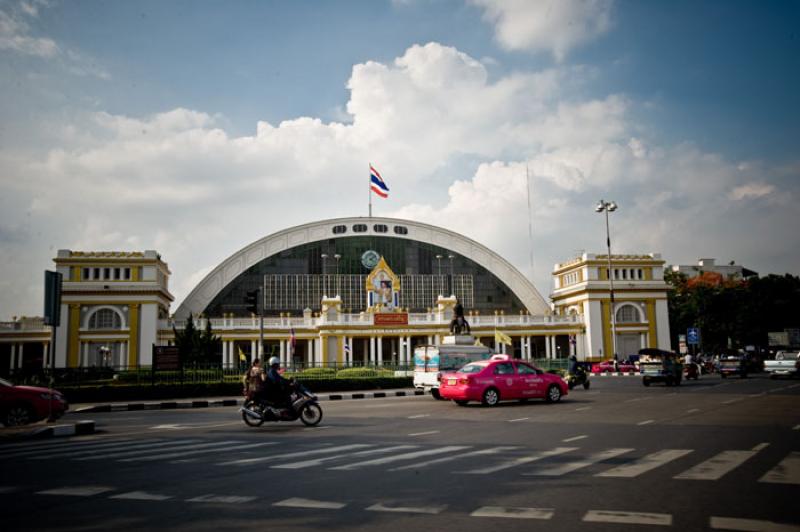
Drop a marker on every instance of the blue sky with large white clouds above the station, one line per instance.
(198, 127)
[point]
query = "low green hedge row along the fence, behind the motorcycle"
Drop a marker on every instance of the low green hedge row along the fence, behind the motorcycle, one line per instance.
(123, 392)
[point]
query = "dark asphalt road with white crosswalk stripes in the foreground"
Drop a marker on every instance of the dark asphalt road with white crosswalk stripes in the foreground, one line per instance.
(711, 454)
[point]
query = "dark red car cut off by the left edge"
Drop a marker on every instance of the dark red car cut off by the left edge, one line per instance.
(20, 405)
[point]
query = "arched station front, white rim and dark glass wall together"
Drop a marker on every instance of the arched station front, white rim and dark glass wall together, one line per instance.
(447, 261)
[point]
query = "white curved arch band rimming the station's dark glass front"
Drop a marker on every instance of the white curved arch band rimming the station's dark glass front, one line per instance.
(224, 274)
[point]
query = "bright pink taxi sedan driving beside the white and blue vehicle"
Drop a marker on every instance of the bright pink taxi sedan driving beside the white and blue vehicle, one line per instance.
(500, 378)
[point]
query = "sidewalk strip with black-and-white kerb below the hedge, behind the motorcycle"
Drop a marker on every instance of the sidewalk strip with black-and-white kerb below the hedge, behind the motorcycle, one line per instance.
(83, 408)
